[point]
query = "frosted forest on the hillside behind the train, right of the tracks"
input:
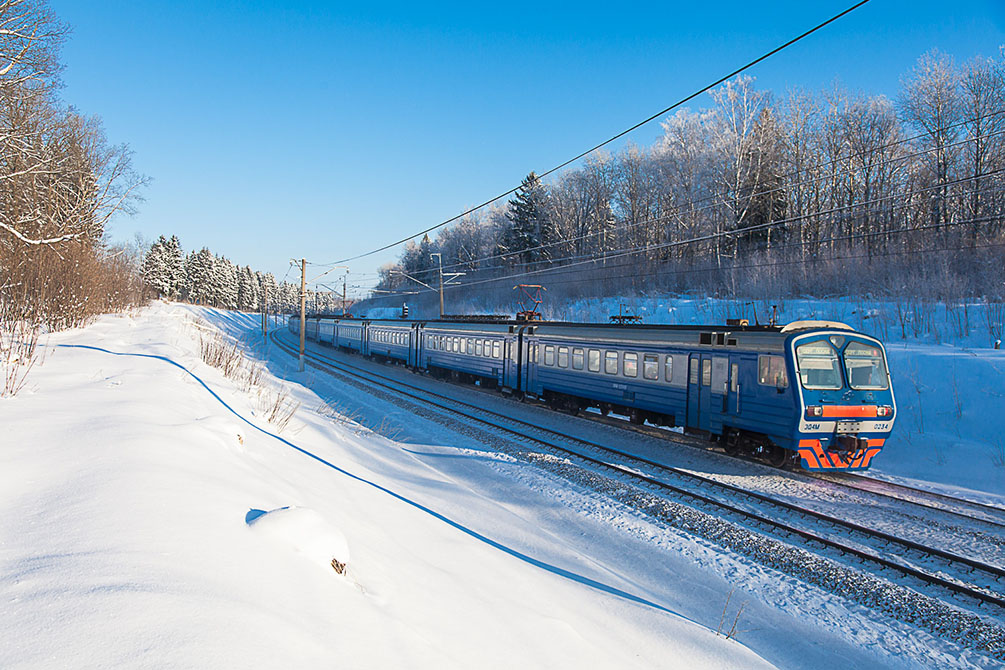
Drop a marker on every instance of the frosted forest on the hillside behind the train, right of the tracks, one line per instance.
(762, 194)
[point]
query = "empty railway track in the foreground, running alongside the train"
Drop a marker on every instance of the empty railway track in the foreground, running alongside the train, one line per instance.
(969, 580)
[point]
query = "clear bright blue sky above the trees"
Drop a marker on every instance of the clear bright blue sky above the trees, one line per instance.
(291, 129)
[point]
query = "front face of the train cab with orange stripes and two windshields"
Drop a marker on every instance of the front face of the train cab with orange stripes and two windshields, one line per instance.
(847, 399)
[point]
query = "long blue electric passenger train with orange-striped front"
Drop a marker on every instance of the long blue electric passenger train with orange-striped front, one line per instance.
(812, 393)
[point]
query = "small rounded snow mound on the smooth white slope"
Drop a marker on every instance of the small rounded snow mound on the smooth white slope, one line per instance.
(305, 531)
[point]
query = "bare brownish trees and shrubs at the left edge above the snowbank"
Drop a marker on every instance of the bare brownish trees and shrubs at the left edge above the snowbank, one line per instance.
(61, 182)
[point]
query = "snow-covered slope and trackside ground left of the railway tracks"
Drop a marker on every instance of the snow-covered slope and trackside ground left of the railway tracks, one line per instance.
(153, 519)
